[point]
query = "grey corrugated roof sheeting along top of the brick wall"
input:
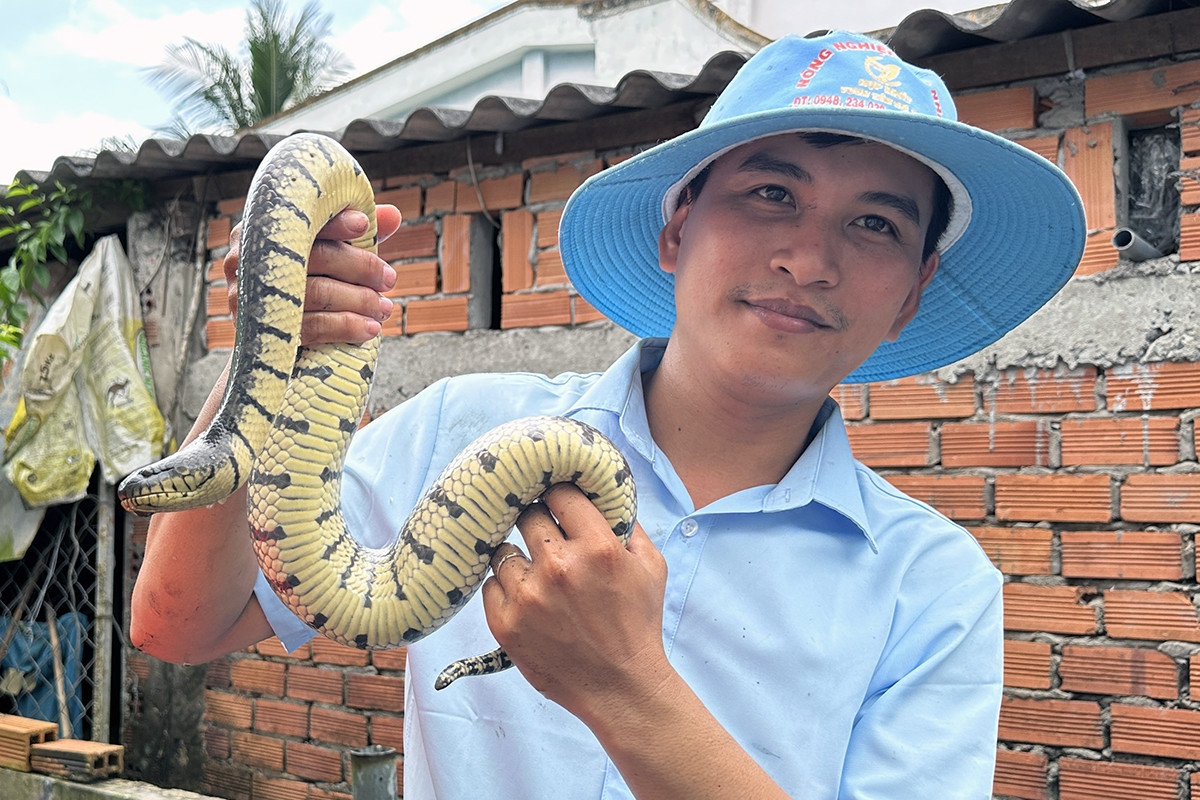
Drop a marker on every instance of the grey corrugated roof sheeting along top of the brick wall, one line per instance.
(920, 35)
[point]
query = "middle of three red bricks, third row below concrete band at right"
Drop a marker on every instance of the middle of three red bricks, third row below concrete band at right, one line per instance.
(1054, 498)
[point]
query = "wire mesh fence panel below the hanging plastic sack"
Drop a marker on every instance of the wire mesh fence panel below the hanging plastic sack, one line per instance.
(57, 622)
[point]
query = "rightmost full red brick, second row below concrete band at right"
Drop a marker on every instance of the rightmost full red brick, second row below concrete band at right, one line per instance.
(1148, 441)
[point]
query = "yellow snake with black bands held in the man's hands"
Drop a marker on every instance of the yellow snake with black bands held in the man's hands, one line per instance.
(286, 420)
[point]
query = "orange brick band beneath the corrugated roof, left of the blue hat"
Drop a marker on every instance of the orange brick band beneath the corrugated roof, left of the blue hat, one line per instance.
(433, 250)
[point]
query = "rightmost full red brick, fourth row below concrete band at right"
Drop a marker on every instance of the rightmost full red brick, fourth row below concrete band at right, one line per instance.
(1130, 555)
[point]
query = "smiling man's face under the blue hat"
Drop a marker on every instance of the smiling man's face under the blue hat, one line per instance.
(796, 261)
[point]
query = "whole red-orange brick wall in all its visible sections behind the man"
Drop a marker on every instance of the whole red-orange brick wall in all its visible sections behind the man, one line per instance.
(1081, 484)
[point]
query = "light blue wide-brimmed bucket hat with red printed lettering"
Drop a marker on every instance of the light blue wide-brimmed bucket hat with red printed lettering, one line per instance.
(1016, 236)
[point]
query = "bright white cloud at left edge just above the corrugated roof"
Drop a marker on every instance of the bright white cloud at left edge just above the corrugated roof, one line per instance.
(34, 146)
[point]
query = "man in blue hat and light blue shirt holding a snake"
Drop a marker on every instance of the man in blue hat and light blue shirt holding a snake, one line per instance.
(783, 623)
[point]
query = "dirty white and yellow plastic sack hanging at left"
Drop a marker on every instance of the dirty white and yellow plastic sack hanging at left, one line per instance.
(69, 418)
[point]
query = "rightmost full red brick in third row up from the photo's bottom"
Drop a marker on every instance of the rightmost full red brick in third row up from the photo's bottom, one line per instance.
(1119, 671)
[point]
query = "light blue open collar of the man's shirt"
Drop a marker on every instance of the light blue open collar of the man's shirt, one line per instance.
(825, 473)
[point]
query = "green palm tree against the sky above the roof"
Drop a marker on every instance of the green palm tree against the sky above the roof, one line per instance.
(283, 63)
